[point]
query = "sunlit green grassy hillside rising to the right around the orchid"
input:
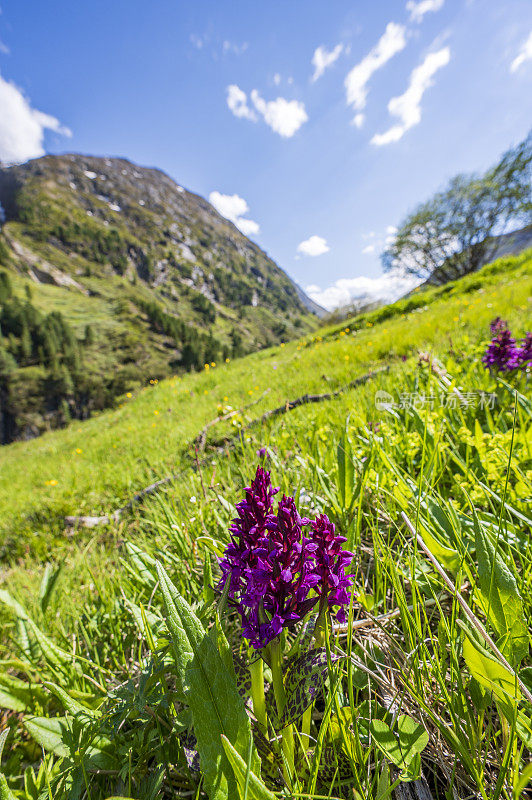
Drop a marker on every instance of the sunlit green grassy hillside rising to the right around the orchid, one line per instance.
(458, 466)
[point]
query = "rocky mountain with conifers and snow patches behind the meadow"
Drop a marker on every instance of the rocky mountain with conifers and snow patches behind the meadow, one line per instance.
(112, 275)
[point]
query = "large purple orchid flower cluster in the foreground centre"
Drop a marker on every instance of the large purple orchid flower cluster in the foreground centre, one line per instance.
(277, 573)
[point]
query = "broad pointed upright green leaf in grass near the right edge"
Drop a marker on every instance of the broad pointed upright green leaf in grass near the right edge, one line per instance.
(500, 595)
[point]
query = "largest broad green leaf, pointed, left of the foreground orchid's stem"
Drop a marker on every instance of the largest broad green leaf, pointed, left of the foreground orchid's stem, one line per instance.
(210, 691)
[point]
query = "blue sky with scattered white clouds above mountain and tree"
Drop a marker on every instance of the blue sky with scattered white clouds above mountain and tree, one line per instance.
(323, 123)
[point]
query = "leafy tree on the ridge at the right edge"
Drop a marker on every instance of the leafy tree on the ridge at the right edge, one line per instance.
(455, 232)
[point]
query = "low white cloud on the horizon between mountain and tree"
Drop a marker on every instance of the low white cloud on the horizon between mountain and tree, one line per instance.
(387, 288)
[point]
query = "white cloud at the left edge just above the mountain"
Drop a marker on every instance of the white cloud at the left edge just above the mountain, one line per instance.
(22, 127)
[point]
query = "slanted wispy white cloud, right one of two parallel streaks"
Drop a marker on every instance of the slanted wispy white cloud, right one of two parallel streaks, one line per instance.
(407, 106)
